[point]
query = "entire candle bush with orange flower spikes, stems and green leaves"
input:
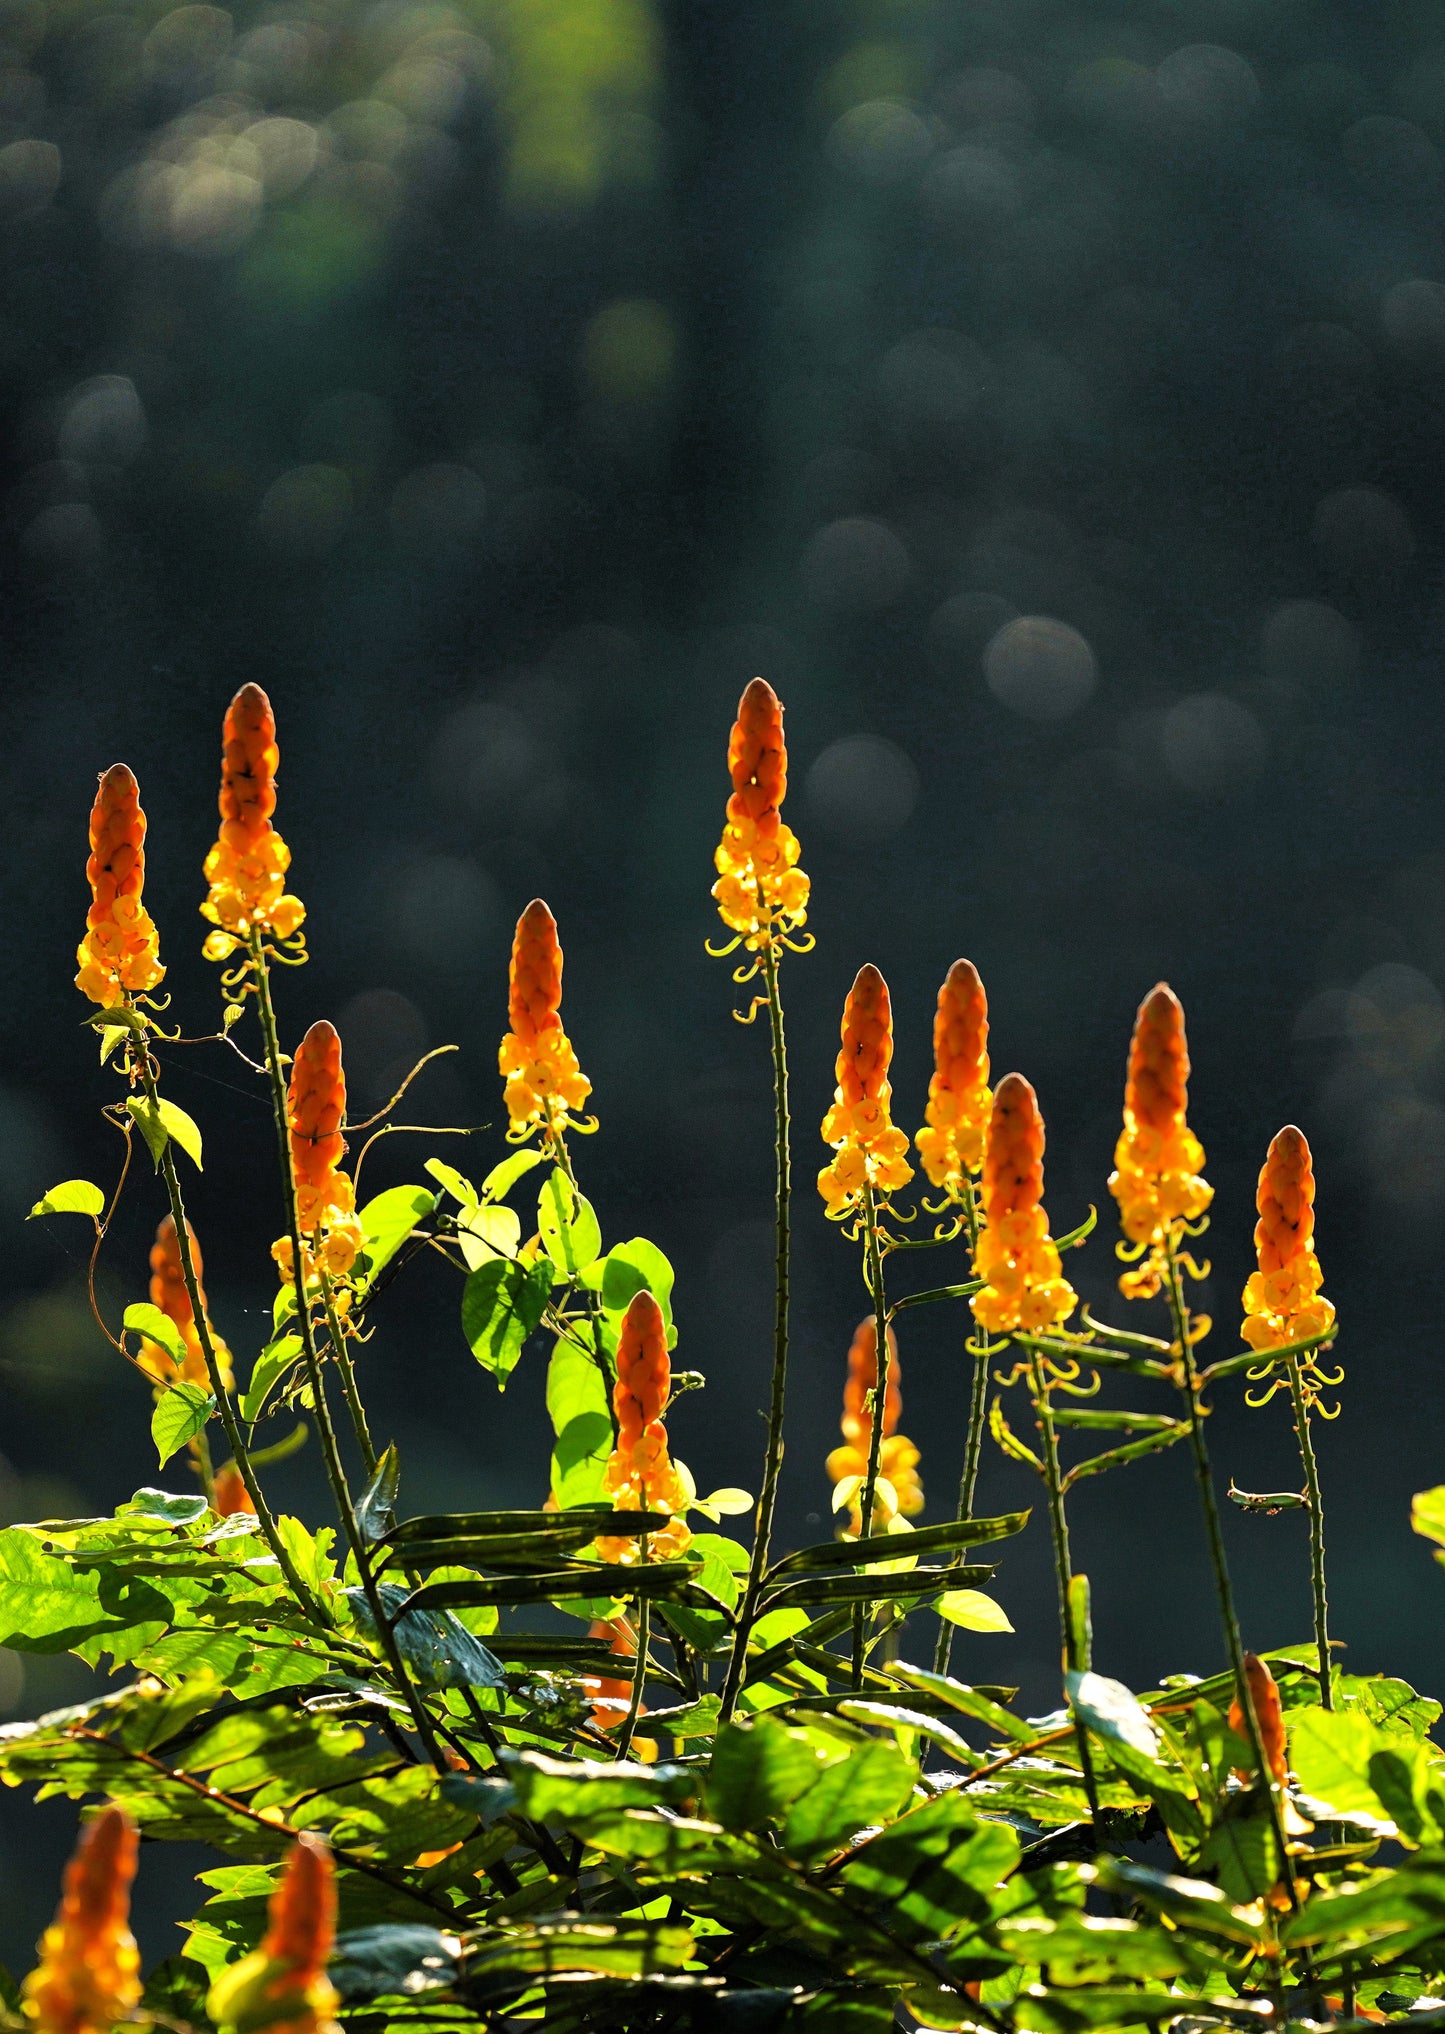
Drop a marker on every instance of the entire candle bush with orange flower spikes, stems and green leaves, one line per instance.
(717, 1793)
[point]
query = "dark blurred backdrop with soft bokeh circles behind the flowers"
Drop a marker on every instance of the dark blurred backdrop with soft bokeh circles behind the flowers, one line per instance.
(1047, 398)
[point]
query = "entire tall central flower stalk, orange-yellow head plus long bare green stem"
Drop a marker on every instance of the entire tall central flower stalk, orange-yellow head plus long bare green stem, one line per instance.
(762, 900)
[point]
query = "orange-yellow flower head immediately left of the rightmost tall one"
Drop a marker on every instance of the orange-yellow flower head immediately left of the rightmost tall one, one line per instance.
(1159, 1160)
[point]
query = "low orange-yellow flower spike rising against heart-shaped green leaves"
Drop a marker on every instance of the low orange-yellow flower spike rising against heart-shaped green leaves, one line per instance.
(640, 1472)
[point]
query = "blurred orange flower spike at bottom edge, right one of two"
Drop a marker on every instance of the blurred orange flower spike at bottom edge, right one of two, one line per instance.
(282, 1988)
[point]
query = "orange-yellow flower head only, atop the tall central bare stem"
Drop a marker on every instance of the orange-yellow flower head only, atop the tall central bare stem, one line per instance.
(760, 894)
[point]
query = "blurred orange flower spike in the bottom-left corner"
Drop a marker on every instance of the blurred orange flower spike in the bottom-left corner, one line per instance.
(89, 1976)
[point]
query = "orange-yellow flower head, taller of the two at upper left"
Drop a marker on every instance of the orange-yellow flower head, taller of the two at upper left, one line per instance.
(249, 863)
